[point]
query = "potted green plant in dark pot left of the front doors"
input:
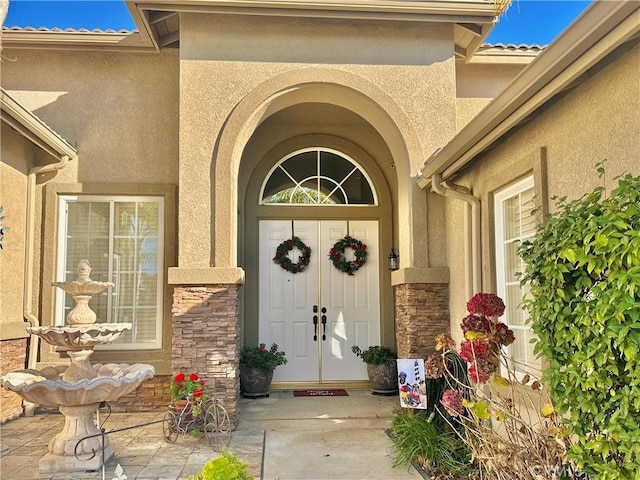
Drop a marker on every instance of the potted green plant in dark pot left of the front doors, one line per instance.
(257, 364)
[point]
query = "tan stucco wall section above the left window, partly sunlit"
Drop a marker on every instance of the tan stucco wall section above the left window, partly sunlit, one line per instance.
(119, 110)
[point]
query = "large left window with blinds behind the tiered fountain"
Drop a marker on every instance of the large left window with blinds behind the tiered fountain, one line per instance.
(122, 239)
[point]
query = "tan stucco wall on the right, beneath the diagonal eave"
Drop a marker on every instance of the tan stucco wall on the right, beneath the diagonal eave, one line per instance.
(599, 120)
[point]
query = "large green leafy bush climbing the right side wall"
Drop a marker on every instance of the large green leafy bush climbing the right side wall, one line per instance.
(583, 268)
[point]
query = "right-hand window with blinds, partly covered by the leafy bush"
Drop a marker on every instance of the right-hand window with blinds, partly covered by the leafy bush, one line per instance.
(514, 223)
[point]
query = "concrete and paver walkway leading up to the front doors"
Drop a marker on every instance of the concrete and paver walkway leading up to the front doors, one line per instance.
(280, 437)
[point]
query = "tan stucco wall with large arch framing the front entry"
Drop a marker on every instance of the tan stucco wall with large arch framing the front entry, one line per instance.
(367, 67)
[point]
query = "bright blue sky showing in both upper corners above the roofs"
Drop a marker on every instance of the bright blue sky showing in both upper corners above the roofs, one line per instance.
(526, 21)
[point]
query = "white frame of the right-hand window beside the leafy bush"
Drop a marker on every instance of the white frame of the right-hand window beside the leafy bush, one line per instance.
(500, 198)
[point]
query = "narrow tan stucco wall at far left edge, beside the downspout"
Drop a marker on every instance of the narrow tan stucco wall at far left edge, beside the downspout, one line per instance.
(17, 157)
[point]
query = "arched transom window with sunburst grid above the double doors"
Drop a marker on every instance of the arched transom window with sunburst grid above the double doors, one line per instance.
(317, 176)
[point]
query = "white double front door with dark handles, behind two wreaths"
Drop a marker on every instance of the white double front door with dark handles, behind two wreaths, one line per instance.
(346, 308)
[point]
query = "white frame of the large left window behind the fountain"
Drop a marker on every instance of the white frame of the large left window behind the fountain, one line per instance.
(59, 307)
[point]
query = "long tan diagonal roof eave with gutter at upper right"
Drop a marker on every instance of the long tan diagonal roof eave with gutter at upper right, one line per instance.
(597, 32)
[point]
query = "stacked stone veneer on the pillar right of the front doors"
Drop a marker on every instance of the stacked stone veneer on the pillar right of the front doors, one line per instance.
(422, 312)
